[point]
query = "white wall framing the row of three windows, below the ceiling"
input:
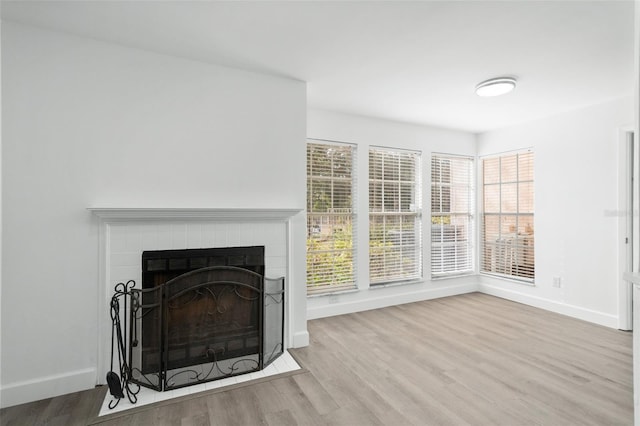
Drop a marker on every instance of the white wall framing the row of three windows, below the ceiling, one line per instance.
(366, 132)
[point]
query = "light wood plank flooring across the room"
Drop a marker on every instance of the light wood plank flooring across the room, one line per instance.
(465, 360)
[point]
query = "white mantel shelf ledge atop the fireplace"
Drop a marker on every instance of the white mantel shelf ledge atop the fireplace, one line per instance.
(198, 213)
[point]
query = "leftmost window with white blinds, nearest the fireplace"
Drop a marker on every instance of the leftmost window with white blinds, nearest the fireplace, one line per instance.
(330, 217)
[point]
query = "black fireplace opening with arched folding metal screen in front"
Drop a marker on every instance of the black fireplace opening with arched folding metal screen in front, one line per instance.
(216, 315)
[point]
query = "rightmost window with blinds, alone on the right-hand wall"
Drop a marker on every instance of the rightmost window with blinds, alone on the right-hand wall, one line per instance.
(507, 220)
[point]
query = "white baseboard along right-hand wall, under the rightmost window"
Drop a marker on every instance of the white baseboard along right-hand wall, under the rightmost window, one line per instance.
(578, 312)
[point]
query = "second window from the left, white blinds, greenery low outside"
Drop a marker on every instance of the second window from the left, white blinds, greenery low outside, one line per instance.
(395, 233)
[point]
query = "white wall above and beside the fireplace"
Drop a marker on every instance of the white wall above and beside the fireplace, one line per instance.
(90, 124)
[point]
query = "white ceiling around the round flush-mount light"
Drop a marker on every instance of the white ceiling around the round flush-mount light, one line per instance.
(414, 61)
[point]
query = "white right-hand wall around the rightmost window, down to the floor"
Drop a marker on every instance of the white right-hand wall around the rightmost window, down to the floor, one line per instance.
(576, 205)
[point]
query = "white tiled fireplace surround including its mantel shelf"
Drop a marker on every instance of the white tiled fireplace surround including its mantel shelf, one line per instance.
(126, 232)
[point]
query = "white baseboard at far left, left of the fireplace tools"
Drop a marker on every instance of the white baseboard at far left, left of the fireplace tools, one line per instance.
(47, 387)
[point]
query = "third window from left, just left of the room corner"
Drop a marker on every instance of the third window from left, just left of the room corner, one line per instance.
(452, 203)
